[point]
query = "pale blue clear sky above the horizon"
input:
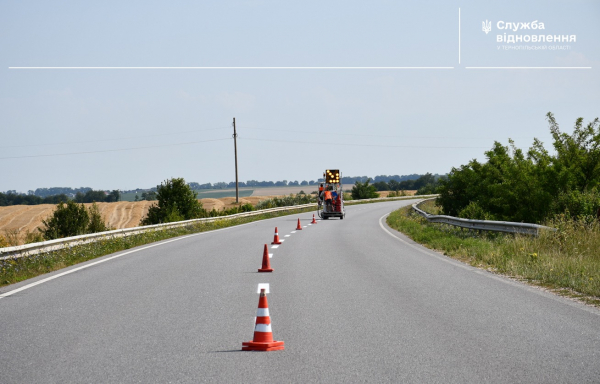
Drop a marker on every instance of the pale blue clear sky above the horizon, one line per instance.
(370, 88)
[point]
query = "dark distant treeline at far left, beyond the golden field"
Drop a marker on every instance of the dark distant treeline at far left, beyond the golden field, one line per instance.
(90, 196)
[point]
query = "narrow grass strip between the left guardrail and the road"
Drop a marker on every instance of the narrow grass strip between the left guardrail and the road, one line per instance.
(15, 270)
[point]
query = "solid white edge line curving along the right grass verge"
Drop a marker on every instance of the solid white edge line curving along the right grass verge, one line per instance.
(500, 278)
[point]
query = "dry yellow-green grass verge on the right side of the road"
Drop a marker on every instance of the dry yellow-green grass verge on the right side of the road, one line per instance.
(566, 262)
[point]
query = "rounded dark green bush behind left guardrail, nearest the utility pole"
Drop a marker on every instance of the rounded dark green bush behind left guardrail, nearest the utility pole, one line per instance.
(176, 202)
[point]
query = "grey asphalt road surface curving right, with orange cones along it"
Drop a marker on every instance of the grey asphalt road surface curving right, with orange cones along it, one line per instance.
(353, 300)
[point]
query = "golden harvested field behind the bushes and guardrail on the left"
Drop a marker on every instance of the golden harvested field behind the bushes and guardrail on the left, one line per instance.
(21, 219)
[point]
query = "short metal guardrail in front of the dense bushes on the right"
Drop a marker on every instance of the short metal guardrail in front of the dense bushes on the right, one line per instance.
(483, 225)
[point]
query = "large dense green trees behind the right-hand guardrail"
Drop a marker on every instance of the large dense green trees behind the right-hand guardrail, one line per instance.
(532, 186)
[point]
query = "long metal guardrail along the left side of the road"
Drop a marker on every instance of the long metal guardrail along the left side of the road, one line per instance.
(52, 245)
